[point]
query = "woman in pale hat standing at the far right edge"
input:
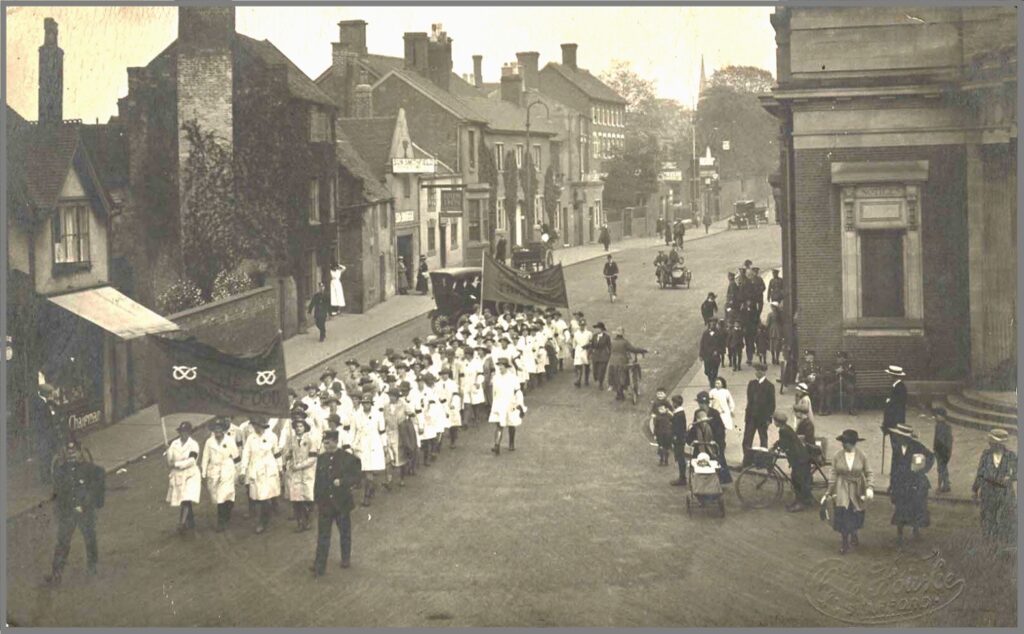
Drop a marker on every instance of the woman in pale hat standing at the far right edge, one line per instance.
(996, 486)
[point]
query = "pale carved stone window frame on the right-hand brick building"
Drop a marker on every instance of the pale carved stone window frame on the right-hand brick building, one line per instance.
(885, 187)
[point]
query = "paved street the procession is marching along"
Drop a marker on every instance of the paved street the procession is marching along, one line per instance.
(577, 528)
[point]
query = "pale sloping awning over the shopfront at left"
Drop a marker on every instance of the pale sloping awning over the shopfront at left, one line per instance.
(116, 314)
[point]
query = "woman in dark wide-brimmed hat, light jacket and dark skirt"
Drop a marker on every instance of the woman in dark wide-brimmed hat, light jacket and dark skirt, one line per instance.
(851, 484)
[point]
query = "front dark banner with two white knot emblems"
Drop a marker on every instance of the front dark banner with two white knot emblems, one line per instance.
(197, 378)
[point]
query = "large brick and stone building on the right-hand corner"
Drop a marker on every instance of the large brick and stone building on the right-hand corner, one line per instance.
(898, 194)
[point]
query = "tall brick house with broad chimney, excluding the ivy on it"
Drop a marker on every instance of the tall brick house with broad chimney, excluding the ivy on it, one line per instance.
(260, 106)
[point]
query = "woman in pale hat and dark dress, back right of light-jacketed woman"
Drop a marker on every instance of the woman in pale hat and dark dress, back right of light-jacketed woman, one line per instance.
(909, 483)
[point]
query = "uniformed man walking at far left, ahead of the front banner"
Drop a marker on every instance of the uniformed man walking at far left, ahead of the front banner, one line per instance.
(79, 489)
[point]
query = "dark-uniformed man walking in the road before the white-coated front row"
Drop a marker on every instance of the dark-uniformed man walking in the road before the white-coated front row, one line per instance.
(337, 474)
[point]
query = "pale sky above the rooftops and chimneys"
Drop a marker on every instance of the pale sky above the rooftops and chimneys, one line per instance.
(663, 45)
